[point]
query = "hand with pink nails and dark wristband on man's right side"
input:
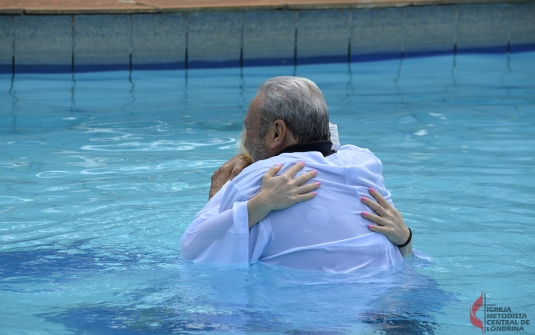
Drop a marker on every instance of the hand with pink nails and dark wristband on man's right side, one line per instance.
(388, 222)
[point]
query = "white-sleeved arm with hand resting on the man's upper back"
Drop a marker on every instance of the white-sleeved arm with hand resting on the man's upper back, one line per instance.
(223, 237)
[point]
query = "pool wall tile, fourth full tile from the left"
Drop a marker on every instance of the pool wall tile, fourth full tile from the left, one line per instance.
(214, 39)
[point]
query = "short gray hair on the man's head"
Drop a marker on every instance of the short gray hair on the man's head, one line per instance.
(299, 103)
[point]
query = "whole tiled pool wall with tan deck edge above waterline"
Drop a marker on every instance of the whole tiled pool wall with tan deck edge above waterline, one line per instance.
(106, 35)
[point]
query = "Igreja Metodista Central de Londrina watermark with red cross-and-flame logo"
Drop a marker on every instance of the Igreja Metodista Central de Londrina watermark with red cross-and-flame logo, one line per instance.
(497, 319)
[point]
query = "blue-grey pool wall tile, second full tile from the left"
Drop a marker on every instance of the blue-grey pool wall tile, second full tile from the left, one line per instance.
(101, 42)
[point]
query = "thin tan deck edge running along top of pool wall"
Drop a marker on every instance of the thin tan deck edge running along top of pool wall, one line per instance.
(157, 6)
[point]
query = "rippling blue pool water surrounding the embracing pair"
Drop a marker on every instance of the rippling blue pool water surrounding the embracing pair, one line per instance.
(100, 173)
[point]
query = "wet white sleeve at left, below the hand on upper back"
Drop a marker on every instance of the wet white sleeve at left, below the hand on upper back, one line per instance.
(222, 236)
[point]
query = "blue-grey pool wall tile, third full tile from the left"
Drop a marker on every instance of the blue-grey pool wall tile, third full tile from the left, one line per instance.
(158, 41)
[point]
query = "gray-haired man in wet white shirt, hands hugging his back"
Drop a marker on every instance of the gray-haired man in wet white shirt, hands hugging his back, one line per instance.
(270, 212)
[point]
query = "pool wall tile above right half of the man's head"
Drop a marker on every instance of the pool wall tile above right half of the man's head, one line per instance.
(322, 35)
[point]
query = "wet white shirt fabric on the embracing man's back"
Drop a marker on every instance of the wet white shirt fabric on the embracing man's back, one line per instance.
(326, 233)
